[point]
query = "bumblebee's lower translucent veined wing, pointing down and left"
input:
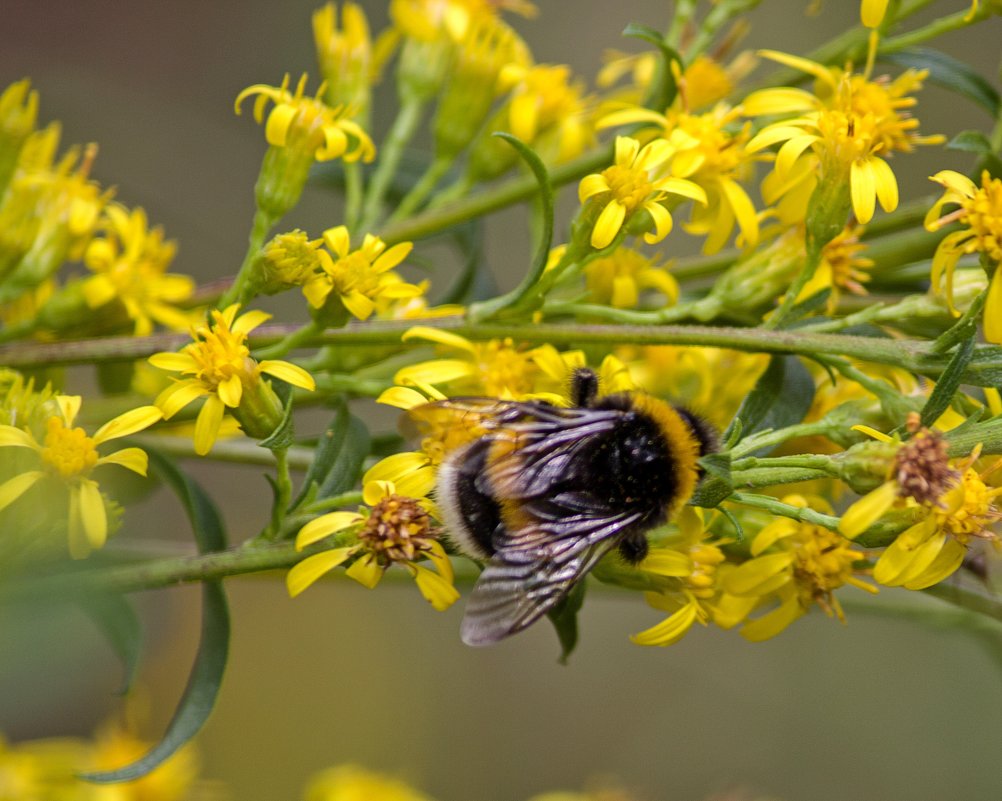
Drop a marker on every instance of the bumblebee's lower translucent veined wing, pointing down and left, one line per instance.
(536, 567)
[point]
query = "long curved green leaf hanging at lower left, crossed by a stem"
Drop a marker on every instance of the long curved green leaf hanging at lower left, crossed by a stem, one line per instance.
(210, 664)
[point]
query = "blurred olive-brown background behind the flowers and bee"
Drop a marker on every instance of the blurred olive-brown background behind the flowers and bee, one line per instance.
(879, 710)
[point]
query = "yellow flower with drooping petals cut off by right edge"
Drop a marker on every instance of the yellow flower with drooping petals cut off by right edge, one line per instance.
(980, 213)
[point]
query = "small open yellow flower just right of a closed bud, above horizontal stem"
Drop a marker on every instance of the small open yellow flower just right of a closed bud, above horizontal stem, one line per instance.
(358, 278)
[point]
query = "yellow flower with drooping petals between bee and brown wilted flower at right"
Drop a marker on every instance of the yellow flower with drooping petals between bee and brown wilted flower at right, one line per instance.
(800, 564)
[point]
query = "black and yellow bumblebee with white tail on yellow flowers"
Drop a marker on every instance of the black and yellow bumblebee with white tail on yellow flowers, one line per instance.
(541, 494)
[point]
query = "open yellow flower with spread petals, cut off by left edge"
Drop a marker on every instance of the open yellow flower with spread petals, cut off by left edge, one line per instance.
(68, 456)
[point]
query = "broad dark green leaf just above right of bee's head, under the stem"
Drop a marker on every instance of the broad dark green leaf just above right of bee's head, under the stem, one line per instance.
(782, 397)
